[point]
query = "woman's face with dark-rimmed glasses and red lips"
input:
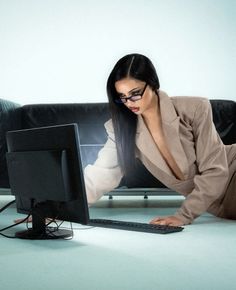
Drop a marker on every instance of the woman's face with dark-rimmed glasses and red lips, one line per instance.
(129, 87)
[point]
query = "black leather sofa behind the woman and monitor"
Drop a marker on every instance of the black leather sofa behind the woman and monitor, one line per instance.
(90, 118)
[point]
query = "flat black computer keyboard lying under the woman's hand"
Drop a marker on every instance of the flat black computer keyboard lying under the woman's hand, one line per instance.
(134, 226)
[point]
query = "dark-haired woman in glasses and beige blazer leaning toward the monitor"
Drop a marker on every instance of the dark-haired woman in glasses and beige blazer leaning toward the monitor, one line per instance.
(175, 139)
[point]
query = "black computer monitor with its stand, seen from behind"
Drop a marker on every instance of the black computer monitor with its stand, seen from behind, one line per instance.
(46, 176)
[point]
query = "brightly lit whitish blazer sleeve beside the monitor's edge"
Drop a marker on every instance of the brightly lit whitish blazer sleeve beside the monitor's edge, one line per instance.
(105, 174)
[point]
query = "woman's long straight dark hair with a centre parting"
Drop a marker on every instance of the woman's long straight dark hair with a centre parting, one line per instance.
(139, 67)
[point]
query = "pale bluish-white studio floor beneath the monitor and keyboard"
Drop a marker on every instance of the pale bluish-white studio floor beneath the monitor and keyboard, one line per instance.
(202, 257)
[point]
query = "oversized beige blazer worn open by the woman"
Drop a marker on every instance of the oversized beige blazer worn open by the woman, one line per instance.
(209, 166)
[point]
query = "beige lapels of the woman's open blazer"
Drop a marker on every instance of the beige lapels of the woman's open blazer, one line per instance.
(170, 123)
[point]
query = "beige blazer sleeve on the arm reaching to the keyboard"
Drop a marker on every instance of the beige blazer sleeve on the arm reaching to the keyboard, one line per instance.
(212, 164)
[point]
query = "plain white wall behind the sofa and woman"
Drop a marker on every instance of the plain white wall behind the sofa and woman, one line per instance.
(63, 50)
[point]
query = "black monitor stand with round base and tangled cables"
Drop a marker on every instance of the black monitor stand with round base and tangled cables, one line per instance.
(40, 231)
